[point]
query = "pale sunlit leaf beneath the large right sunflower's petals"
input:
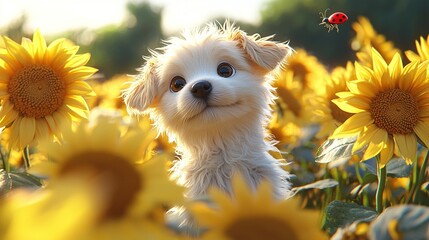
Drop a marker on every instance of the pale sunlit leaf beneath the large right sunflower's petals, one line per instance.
(338, 149)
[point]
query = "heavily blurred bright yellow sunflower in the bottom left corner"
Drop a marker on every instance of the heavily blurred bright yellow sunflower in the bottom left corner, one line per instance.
(63, 211)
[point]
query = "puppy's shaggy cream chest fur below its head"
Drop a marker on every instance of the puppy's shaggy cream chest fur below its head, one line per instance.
(215, 159)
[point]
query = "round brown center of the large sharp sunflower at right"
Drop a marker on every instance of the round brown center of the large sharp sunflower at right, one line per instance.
(396, 111)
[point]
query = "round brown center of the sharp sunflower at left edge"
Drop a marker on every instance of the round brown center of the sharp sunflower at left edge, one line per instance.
(36, 91)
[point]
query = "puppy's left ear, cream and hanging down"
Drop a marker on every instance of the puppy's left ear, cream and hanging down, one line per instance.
(142, 92)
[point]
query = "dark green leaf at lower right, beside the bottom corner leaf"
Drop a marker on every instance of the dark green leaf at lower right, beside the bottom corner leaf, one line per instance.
(340, 214)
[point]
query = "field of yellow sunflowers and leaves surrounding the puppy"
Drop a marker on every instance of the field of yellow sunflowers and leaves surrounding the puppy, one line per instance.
(76, 165)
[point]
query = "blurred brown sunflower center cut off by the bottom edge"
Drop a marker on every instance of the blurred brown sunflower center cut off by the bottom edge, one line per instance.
(256, 228)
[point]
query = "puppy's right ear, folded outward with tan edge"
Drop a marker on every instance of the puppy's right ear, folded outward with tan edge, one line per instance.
(262, 51)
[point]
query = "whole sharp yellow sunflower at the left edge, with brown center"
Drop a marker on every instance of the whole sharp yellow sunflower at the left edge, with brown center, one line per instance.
(41, 88)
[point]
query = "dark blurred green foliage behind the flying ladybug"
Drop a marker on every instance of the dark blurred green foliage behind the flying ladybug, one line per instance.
(298, 21)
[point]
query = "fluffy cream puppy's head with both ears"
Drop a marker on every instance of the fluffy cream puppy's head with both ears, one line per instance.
(207, 80)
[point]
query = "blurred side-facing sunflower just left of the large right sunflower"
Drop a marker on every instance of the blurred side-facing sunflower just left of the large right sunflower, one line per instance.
(326, 112)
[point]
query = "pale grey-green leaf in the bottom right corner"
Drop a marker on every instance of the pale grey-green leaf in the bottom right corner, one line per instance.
(412, 222)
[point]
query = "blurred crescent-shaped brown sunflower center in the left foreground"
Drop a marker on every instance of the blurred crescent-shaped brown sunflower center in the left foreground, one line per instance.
(122, 178)
